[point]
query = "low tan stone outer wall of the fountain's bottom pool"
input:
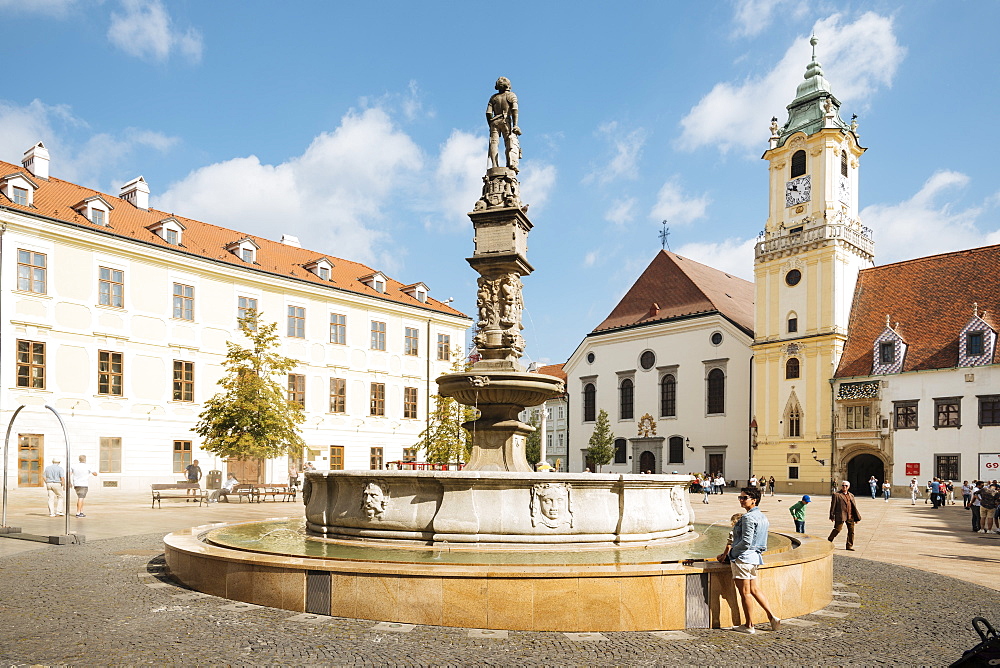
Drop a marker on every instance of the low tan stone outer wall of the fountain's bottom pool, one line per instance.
(569, 597)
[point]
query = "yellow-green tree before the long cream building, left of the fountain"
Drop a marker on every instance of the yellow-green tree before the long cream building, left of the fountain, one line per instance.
(252, 417)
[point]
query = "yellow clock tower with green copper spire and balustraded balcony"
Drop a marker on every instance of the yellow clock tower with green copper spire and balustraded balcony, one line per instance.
(806, 264)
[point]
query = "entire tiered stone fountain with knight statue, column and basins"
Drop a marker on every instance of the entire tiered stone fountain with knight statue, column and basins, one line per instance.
(496, 545)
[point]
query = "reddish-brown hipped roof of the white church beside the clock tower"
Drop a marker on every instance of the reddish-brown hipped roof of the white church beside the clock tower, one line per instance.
(680, 288)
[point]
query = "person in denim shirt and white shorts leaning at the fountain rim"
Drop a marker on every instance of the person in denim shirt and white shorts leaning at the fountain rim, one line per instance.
(749, 542)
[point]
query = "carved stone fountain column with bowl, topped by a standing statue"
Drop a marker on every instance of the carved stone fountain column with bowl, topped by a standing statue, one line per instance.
(497, 385)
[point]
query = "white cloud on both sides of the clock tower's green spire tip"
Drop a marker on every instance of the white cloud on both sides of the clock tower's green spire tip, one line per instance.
(857, 58)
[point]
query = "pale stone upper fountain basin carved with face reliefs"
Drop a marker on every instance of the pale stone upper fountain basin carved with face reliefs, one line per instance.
(499, 507)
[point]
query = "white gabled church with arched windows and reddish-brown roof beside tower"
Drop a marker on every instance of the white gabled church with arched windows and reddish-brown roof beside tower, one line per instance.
(671, 366)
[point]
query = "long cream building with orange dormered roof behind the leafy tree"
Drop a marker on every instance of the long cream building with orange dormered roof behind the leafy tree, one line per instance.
(117, 315)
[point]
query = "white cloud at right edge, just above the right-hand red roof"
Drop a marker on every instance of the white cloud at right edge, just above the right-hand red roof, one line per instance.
(929, 222)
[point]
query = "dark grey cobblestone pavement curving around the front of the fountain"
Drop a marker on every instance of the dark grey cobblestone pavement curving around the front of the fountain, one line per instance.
(107, 602)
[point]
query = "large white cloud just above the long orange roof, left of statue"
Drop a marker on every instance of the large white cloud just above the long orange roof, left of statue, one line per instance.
(332, 196)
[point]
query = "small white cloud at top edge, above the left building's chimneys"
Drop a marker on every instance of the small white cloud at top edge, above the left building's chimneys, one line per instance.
(145, 30)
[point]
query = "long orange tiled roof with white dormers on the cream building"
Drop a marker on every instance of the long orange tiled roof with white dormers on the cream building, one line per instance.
(55, 199)
